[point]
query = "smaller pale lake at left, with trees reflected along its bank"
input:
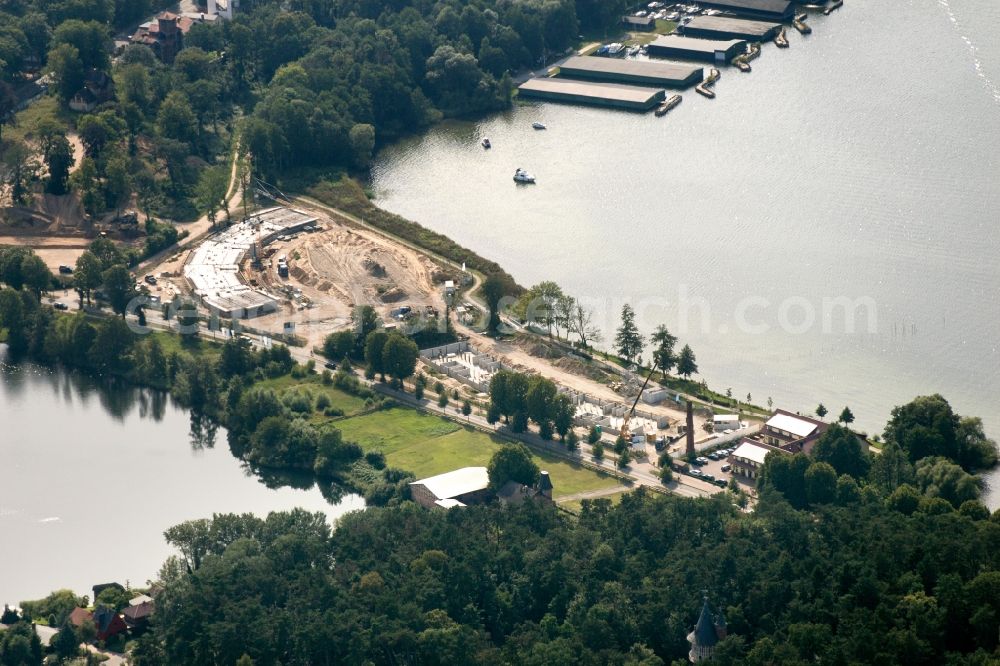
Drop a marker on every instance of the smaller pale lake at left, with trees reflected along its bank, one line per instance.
(91, 476)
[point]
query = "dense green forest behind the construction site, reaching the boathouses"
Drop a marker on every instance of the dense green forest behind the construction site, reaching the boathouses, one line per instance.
(299, 85)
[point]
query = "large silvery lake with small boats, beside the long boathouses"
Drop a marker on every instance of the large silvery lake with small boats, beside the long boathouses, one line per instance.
(861, 163)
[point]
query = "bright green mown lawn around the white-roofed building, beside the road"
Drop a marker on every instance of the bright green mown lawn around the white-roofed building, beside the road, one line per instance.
(427, 445)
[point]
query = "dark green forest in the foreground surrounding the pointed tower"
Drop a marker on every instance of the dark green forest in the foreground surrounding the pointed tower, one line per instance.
(853, 578)
